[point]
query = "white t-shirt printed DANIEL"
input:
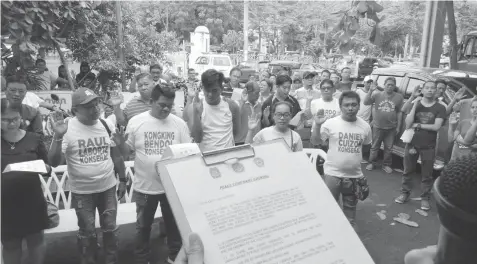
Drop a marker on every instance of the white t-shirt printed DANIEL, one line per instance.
(345, 146)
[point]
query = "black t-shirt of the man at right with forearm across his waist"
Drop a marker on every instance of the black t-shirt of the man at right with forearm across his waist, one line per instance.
(427, 115)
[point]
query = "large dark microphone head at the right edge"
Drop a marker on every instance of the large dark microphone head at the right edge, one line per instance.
(456, 197)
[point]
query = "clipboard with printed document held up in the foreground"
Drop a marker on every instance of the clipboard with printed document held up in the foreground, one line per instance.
(270, 207)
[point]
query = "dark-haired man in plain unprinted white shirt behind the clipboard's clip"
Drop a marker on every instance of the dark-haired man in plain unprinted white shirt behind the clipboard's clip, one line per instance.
(213, 121)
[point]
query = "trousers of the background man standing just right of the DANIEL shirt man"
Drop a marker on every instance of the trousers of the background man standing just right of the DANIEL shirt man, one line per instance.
(385, 136)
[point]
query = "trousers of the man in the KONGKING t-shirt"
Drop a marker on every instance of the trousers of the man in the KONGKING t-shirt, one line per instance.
(146, 206)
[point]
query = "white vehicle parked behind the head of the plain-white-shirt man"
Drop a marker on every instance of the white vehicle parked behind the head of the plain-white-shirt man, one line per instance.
(219, 62)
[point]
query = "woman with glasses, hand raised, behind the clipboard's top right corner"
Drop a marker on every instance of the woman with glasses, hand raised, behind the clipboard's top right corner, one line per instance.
(282, 114)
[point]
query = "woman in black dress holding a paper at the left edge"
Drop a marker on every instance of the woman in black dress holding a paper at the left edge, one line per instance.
(24, 209)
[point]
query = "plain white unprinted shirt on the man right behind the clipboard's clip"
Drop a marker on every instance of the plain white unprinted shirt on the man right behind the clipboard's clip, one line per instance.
(217, 125)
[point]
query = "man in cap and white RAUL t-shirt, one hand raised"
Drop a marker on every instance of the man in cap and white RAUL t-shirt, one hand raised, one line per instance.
(92, 160)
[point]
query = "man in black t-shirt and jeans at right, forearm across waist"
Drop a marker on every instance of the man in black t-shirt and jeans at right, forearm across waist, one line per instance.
(426, 117)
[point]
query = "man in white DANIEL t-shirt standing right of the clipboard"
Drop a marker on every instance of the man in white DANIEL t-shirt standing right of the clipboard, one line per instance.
(346, 134)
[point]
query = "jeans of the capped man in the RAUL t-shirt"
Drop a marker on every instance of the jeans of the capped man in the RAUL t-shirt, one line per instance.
(85, 206)
